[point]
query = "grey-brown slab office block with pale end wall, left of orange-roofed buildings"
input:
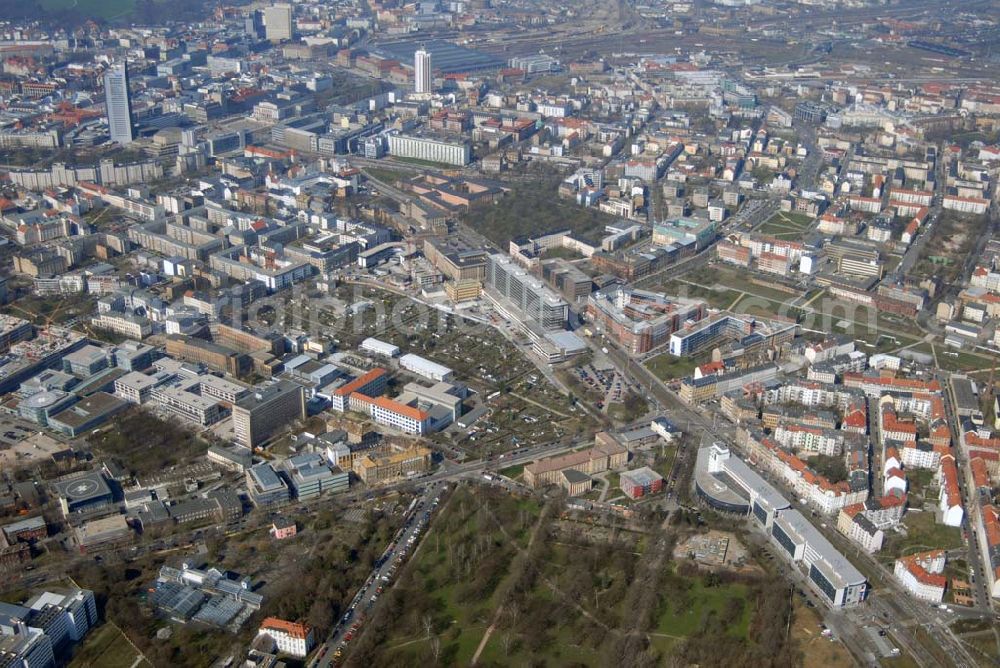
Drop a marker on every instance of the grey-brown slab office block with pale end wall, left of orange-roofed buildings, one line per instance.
(258, 416)
